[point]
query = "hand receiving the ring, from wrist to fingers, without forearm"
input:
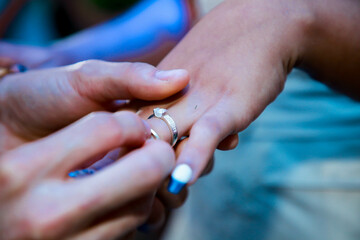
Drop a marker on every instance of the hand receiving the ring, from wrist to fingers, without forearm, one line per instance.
(235, 74)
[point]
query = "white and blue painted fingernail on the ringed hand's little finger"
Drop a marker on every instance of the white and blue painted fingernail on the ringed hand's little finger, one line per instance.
(179, 178)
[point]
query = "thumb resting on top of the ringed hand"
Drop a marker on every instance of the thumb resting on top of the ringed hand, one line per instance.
(106, 81)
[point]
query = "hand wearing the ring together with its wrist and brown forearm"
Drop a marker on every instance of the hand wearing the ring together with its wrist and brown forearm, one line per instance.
(239, 65)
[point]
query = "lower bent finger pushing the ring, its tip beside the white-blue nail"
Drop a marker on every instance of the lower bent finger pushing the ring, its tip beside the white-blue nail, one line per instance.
(77, 203)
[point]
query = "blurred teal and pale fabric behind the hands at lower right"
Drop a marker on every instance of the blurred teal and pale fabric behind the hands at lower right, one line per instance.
(295, 174)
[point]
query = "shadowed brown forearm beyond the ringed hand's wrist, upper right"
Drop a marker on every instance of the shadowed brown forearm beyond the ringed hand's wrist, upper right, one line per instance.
(332, 49)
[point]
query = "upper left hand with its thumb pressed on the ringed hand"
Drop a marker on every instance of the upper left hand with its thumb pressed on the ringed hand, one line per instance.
(36, 103)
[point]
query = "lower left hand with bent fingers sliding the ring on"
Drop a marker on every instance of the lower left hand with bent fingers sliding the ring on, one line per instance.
(39, 201)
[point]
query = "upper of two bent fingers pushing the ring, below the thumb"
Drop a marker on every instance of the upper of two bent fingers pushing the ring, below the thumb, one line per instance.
(57, 154)
